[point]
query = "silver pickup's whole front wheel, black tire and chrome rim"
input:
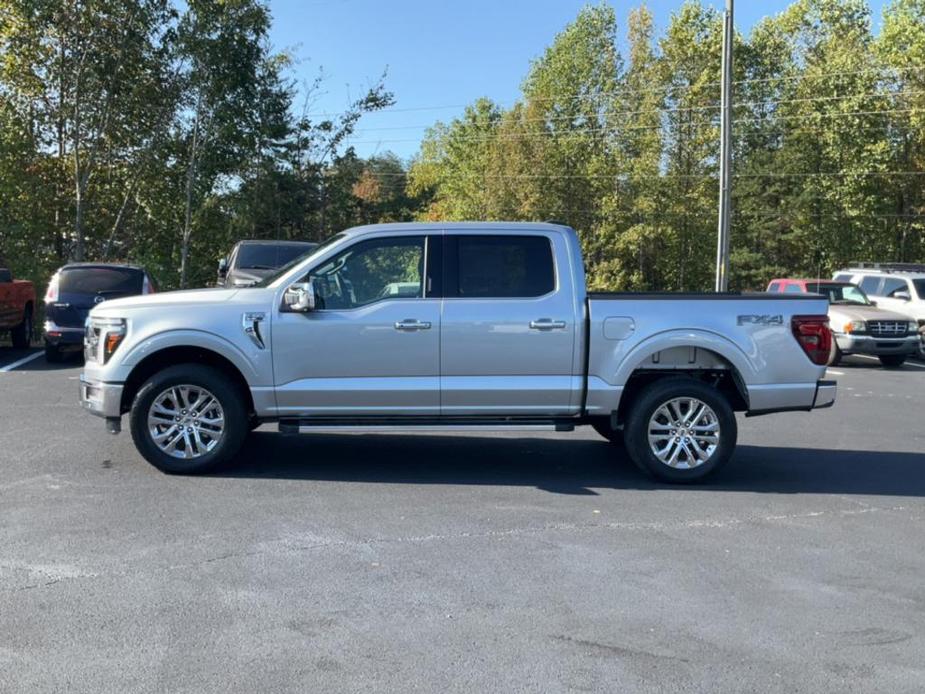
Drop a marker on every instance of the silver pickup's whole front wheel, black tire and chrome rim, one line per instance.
(188, 419)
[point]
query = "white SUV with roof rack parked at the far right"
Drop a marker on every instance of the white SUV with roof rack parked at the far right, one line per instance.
(896, 286)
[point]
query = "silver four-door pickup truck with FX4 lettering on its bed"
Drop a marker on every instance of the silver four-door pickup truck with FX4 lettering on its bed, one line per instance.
(451, 326)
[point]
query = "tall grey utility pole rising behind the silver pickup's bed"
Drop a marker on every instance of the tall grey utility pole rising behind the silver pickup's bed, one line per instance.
(725, 155)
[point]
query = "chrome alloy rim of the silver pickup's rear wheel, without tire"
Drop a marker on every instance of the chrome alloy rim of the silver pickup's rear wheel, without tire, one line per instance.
(684, 433)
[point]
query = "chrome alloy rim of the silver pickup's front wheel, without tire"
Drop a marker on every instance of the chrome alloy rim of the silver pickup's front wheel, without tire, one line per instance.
(186, 421)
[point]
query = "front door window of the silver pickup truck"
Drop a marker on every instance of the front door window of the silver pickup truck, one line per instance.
(371, 271)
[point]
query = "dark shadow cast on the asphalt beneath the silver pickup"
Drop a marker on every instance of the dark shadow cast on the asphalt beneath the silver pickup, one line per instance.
(563, 466)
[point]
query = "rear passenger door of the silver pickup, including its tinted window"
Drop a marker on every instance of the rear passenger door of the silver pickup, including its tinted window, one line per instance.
(509, 326)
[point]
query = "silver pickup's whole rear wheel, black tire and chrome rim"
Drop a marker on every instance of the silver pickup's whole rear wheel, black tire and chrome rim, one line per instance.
(680, 430)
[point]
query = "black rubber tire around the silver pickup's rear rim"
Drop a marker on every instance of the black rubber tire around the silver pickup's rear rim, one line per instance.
(653, 397)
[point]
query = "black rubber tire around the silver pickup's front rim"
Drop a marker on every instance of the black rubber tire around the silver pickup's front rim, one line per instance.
(236, 424)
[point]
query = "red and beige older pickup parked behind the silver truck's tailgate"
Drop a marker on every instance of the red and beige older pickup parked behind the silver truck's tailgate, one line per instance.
(859, 325)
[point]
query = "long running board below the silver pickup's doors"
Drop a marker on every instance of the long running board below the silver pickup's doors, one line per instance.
(312, 425)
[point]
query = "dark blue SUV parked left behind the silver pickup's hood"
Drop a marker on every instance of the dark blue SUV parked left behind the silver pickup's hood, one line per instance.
(76, 288)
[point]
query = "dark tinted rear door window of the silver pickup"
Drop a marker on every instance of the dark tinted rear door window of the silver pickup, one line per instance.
(499, 267)
